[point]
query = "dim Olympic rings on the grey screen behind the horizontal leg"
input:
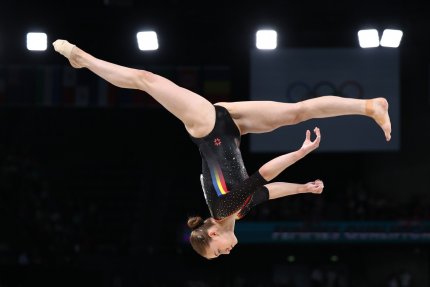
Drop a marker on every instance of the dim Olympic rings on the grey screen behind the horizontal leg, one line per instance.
(299, 91)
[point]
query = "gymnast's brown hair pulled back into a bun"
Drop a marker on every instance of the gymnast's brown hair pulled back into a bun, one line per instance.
(199, 237)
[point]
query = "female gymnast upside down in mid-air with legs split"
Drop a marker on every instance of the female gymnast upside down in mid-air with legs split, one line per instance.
(217, 128)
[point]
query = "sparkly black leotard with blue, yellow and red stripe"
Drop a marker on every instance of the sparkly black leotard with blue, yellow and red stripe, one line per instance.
(226, 185)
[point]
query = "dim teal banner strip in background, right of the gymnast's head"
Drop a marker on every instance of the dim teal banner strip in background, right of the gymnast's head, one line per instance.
(334, 232)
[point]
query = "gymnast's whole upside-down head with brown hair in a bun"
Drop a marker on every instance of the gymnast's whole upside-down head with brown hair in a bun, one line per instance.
(209, 239)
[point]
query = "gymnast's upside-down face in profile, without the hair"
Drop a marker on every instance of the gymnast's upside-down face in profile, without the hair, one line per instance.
(221, 243)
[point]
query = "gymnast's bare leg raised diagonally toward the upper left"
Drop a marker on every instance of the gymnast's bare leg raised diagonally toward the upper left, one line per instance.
(197, 113)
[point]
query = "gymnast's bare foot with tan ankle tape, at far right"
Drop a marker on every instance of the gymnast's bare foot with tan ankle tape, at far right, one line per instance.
(378, 109)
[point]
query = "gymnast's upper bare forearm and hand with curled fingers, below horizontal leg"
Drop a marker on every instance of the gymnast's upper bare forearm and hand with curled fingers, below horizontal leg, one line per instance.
(273, 168)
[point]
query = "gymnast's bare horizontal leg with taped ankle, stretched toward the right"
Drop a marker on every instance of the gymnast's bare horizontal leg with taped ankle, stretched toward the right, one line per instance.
(264, 116)
